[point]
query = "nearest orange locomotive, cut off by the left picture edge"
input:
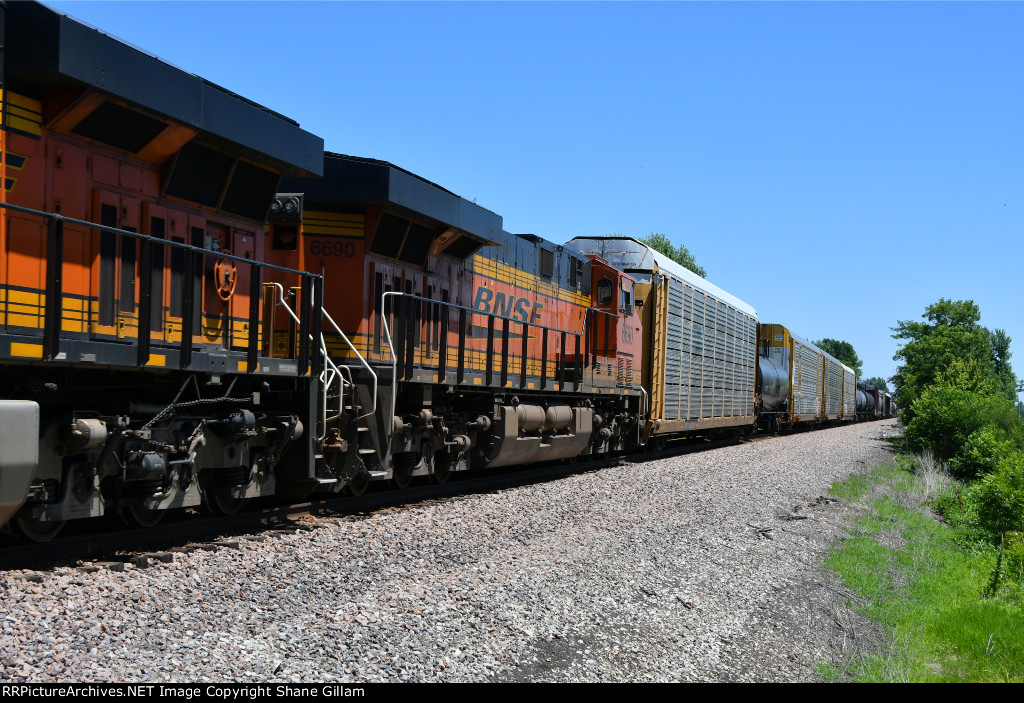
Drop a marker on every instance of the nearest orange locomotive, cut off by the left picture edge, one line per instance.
(133, 289)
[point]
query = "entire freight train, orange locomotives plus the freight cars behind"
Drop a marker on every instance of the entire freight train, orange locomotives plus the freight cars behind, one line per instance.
(200, 306)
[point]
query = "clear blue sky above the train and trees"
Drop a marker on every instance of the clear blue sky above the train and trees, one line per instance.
(838, 166)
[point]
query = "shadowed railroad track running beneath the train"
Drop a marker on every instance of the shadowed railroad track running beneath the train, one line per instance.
(114, 548)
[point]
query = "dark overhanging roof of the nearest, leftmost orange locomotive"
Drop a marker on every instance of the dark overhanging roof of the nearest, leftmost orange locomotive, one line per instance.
(51, 51)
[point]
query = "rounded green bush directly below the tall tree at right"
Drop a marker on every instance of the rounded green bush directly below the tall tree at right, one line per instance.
(945, 419)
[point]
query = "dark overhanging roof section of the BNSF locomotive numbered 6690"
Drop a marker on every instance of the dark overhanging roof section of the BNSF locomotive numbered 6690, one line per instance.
(351, 181)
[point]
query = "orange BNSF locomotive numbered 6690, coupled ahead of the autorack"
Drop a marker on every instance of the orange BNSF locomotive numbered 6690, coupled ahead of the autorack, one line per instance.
(463, 344)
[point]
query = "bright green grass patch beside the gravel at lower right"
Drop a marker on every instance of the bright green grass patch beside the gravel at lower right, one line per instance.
(926, 592)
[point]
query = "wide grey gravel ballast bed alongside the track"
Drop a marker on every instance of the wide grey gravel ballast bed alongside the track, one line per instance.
(702, 567)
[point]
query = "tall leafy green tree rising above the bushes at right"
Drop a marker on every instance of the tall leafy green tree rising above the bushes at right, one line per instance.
(951, 333)
